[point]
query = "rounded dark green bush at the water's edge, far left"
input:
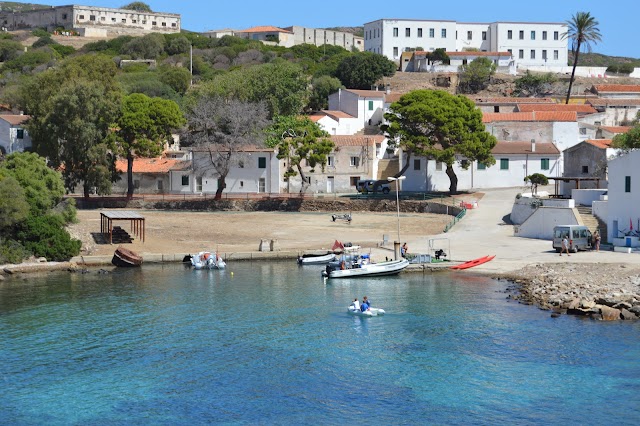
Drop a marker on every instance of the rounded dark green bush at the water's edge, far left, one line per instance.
(45, 236)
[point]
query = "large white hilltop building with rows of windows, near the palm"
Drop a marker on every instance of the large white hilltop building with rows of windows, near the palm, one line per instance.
(530, 43)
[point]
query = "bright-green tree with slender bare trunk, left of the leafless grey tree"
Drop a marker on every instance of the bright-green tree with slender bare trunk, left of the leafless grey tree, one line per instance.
(144, 124)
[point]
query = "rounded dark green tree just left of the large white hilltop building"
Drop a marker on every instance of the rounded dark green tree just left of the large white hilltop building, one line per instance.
(362, 70)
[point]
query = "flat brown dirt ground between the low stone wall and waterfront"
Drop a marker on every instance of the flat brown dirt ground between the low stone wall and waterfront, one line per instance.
(168, 232)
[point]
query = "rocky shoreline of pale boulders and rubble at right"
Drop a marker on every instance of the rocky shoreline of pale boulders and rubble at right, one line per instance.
(607, 292)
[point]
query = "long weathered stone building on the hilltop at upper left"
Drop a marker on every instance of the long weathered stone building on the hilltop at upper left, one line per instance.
(91, 21)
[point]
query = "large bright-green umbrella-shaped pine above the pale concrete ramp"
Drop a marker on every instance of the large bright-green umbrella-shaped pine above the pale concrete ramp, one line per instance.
(438, 125)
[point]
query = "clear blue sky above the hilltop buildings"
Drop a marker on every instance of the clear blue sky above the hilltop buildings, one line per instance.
(618, 20)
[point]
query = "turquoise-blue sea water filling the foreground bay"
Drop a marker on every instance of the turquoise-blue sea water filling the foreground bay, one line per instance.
(272, 344)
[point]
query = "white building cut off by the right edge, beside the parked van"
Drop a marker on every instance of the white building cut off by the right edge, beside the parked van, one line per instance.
(624, 195)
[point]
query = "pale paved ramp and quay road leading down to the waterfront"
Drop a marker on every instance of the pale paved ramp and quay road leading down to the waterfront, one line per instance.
(483, 231)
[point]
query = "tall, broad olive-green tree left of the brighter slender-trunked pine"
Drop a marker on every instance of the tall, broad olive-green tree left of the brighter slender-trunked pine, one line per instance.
(77, 124)
